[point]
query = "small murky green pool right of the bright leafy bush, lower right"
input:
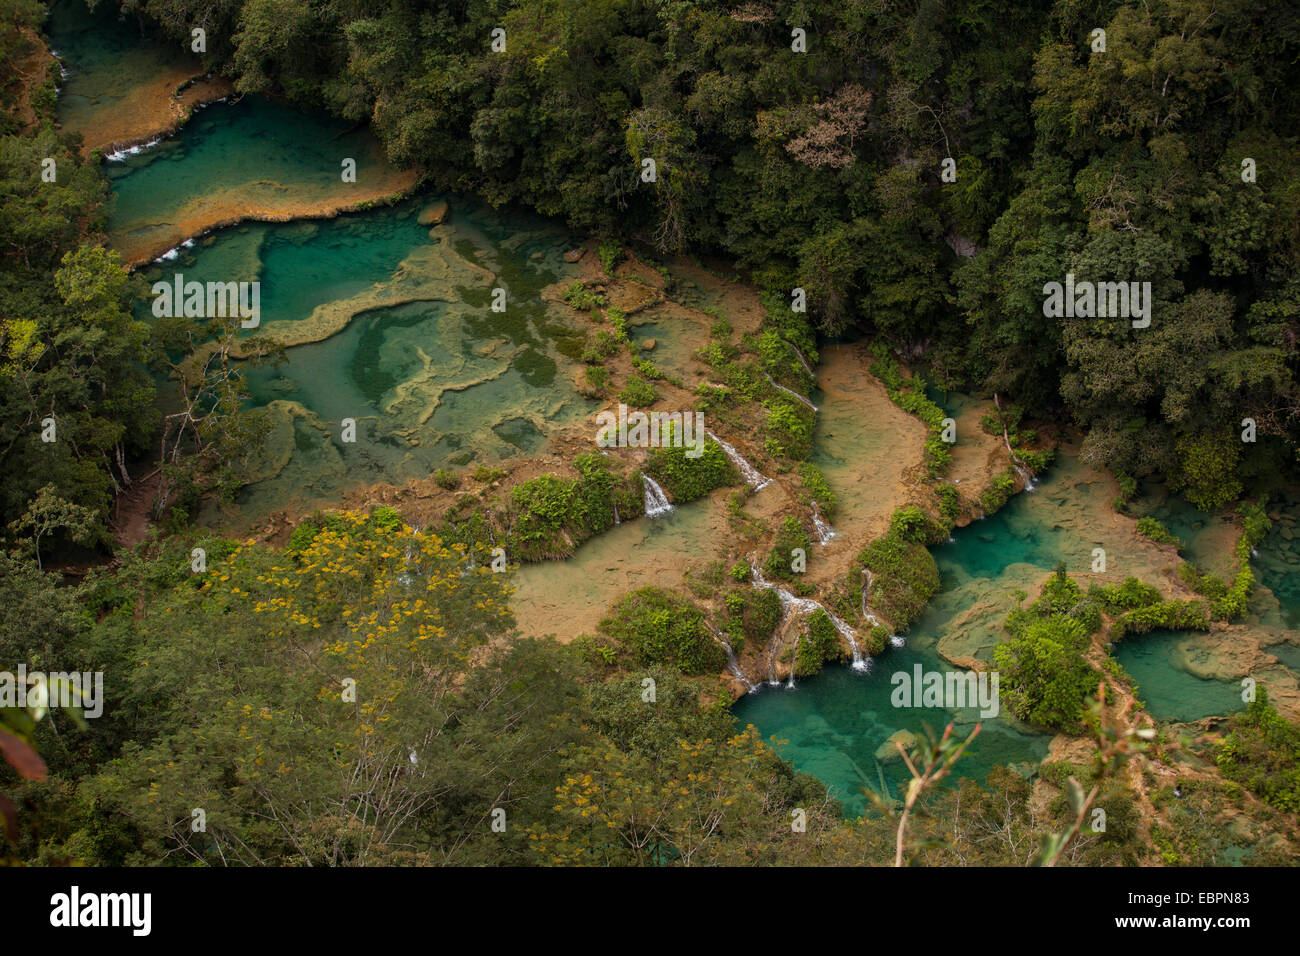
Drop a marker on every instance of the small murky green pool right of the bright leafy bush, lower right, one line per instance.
(1169, 691)
